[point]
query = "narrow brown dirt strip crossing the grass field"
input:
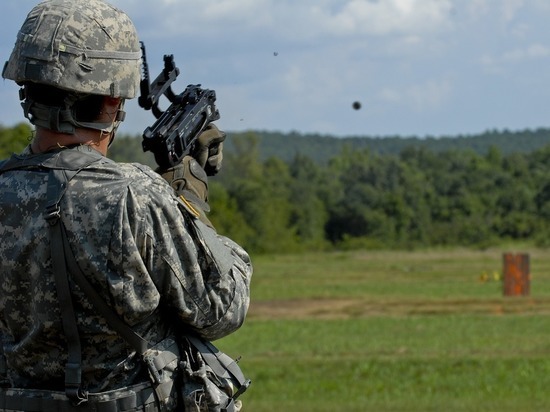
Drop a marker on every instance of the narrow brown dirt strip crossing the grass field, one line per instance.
(353, 308)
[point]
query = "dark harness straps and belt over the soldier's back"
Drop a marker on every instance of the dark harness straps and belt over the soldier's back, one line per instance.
(161, 360)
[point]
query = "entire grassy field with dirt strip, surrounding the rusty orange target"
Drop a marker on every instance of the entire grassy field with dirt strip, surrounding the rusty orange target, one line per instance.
(395, 331)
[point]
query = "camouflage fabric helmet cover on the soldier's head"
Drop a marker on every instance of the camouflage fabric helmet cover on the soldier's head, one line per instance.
(85, 46)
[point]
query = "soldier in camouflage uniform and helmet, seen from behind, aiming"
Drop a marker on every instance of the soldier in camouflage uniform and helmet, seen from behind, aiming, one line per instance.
(140, 238)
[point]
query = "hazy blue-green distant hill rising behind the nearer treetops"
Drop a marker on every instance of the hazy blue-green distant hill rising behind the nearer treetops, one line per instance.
(321, 147)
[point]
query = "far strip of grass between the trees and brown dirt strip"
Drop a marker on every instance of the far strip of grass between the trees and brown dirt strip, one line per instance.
(378, 274)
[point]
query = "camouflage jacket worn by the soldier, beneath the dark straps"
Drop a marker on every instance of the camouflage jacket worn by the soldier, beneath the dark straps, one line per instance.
(159, 267)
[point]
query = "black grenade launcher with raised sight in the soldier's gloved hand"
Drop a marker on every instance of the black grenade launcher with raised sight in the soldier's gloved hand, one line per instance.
(173, 134)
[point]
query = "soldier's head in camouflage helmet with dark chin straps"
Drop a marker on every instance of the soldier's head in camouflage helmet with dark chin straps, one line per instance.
(69, 57)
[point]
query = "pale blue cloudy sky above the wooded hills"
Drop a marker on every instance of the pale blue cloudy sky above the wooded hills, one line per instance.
(422, 68)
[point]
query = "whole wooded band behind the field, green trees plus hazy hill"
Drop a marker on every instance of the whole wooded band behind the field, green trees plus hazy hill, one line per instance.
(280, 193)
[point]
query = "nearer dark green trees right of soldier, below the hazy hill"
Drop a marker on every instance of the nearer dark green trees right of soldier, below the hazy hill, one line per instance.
(361, 199)
